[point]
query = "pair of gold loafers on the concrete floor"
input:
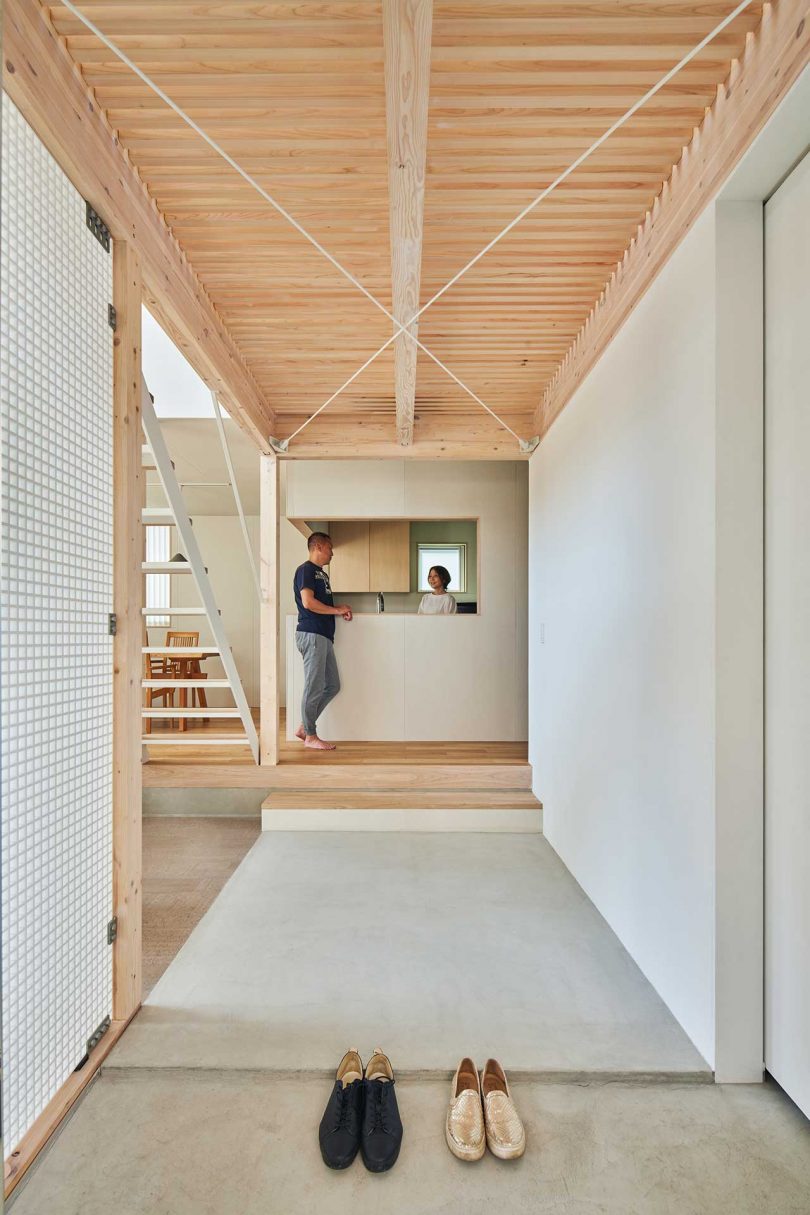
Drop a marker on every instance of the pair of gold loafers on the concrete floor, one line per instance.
(482, 1115)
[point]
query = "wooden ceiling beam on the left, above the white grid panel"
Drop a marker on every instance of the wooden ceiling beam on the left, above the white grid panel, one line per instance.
(44, 83)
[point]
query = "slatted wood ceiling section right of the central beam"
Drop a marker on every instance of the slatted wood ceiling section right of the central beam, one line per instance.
(518, 93)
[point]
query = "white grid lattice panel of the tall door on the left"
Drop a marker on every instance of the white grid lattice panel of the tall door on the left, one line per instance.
(56, 380)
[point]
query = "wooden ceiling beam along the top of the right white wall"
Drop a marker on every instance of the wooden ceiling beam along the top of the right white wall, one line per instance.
(773, 60)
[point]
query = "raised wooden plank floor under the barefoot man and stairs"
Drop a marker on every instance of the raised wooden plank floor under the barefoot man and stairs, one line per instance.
(168, 762)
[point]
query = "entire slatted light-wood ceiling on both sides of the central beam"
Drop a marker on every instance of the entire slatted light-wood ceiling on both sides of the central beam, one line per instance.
(296, 93)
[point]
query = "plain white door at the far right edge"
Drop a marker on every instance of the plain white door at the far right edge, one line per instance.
(788, 636)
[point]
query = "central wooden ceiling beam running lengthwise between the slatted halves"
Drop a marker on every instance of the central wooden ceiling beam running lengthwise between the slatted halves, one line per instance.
(407, 27)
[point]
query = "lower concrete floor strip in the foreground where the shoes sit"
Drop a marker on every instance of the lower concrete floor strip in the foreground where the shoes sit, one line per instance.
(152, 1143)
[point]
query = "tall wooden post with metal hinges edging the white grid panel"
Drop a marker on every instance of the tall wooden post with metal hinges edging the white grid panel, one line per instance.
(128, 541)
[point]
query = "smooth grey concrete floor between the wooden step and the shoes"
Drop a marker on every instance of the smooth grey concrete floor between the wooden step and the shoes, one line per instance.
(432, 946)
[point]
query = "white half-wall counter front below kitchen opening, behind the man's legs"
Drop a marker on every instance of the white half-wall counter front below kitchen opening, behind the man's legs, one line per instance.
(417, 679)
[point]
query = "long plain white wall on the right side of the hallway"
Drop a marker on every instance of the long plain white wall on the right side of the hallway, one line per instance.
(647, 631)
